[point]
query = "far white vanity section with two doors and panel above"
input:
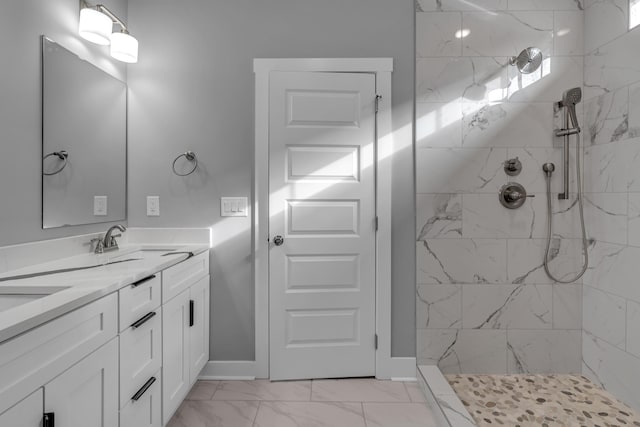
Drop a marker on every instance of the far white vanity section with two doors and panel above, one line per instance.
(185, 324)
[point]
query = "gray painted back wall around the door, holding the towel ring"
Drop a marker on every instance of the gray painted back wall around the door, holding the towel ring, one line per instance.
(193, 89)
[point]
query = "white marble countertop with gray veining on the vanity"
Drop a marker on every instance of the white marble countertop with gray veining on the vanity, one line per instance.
(60, 293)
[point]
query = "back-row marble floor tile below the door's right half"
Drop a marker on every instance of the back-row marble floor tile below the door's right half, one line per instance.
(359, 390)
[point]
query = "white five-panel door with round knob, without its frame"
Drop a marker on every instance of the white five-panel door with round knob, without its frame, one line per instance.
(322, 204)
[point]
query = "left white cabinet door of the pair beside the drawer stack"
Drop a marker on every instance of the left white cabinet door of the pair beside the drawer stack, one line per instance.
(175, 353)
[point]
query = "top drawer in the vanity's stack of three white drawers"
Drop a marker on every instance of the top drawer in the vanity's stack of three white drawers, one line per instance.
(138, 299)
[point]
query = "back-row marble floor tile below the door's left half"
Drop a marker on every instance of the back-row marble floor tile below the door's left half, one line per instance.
(264, 390)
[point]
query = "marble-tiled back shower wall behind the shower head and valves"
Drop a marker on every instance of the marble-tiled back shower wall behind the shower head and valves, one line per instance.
(484, 303)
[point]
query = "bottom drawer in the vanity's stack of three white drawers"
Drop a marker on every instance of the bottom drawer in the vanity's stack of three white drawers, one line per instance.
(146, 411)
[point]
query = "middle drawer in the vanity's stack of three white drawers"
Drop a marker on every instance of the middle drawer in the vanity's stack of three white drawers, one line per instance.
(140, 354)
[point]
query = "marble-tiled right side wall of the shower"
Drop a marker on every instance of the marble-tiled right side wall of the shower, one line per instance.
(611, 341)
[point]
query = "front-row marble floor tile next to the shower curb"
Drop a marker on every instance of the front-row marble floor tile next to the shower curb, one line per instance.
(398, 415)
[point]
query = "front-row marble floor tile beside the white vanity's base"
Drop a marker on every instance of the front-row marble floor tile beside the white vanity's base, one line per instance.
(215, 414)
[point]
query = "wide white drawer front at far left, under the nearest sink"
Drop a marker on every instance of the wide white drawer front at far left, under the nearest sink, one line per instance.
(36, 357)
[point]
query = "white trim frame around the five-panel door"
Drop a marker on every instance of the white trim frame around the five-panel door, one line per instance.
(382, 68)
